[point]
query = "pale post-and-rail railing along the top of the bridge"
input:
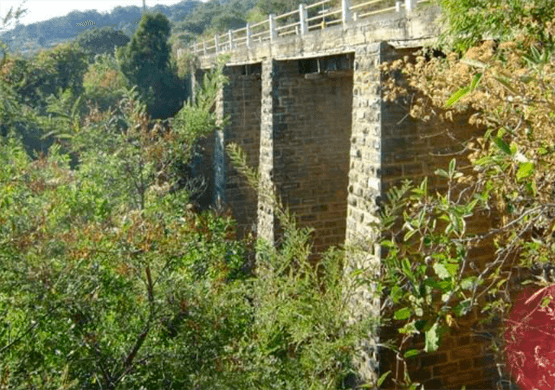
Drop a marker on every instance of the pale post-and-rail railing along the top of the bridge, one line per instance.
(297, 22)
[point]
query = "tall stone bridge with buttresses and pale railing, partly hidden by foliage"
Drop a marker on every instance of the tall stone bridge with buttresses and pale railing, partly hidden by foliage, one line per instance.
(305, 103)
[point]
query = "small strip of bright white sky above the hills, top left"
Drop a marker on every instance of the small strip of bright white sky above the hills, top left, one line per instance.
(39, 10)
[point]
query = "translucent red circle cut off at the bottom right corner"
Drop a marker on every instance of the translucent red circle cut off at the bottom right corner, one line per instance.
(530, 339)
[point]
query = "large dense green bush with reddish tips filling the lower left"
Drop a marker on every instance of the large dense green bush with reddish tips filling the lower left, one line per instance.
(105, 280)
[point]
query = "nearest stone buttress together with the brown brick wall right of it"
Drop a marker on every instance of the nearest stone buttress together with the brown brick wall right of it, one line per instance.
(387, 146)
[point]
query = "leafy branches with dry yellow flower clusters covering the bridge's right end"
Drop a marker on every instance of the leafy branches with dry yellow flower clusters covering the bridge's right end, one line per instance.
(507, 85)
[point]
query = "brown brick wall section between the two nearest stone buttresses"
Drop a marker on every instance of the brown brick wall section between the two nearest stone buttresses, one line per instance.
(311, 150)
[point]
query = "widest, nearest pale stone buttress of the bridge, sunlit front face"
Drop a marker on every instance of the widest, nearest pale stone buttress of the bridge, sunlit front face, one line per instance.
(364, 191)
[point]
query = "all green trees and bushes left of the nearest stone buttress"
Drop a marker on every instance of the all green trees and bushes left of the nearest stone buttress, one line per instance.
(110, 280)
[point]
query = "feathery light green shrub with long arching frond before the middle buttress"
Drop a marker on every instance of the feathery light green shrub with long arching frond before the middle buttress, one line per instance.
(302, 337)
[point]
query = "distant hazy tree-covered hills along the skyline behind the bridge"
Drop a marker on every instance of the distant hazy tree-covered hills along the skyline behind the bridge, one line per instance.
(189, 19)
